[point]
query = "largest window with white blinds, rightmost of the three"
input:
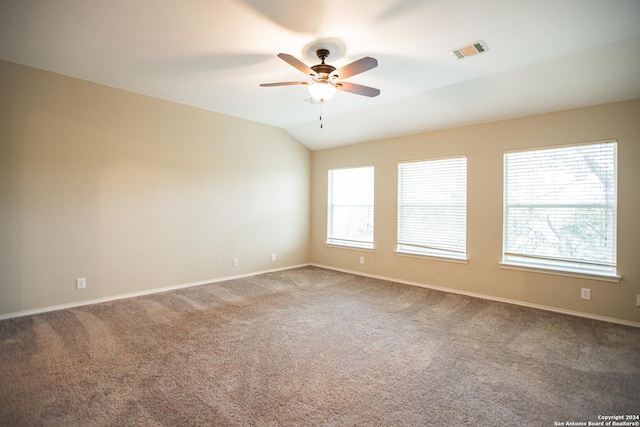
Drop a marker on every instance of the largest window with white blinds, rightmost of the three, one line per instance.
(560, 208)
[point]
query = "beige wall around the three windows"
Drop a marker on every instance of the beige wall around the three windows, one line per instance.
(484, 146)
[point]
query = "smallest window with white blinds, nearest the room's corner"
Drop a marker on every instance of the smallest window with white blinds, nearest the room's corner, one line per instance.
(350, 207)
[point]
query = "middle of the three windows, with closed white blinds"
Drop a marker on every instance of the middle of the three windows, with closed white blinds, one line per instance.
(432, 207)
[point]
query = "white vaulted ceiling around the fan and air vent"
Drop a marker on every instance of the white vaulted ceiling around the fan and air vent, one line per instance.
(544, 55)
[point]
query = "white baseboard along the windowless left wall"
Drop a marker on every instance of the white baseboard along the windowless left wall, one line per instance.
(138, 294)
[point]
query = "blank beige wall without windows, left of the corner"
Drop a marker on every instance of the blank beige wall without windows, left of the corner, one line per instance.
(136, 193)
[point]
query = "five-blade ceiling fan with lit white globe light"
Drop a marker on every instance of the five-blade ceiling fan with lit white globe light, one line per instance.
(325, 78)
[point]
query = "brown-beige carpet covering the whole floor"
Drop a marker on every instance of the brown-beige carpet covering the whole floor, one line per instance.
(310, 346)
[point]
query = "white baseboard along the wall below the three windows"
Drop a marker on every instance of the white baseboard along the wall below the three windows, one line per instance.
(487, 297)
